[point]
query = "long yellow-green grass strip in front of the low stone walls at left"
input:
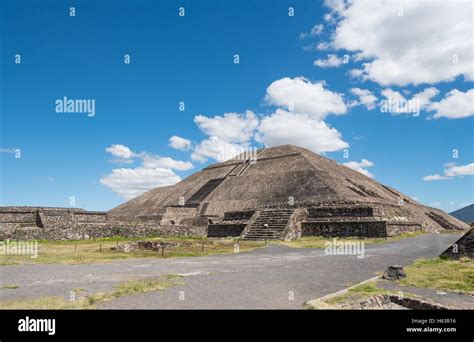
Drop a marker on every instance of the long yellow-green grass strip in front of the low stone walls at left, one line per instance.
(91, 251)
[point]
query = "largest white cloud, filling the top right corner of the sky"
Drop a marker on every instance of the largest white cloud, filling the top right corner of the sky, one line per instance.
(408, 42)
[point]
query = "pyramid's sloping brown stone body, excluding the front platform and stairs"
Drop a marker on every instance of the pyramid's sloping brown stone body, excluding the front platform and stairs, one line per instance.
(278, 177)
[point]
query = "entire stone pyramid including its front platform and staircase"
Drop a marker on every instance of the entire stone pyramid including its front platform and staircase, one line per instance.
(282, 189)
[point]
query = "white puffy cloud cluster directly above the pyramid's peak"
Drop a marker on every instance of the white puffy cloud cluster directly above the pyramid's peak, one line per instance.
(298, 119)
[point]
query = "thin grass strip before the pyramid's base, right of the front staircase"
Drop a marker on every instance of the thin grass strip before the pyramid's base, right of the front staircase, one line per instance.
(320, 242)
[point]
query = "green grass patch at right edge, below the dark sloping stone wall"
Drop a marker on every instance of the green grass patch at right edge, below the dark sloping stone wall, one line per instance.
(441, 274)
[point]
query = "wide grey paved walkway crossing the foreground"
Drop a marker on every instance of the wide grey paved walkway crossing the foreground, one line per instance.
(271, 277)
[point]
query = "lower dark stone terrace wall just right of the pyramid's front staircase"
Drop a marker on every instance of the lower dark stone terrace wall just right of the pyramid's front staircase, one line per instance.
(340, 229)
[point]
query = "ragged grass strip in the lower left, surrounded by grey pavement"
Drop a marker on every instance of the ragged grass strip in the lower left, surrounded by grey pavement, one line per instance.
(88, 302)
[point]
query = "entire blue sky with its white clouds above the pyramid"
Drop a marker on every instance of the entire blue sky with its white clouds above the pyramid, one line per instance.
(291, 85)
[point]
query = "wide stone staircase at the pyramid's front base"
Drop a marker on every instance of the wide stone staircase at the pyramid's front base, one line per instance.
(269, 225)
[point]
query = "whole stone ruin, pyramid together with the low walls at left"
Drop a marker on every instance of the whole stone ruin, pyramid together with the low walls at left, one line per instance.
(283, 192)
